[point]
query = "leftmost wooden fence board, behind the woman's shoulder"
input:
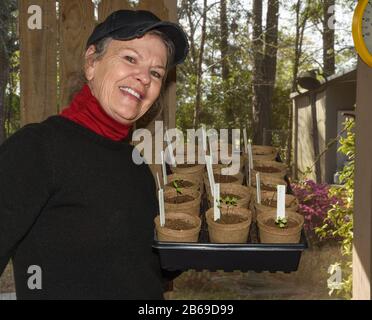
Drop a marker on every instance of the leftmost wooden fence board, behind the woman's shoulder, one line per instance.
(38, 61)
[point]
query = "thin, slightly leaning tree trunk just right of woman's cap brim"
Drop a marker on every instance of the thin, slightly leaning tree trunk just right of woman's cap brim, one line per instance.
(200, 71)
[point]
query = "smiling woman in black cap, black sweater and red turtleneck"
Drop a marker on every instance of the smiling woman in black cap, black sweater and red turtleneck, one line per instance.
(72, 202)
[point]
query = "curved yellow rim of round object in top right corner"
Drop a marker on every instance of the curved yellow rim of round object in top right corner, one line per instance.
(357, 31)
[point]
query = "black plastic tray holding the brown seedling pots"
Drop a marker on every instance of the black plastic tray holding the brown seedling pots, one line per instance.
(204, 255)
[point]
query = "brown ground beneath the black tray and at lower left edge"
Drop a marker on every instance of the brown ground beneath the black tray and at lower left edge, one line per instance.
(309, 282)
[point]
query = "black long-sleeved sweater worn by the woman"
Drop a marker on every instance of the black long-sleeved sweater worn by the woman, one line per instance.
(74, 204)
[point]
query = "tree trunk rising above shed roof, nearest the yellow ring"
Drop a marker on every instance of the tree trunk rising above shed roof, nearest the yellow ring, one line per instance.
(328, 38)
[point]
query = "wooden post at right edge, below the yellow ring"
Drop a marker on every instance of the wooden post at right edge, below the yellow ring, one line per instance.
(362, 246)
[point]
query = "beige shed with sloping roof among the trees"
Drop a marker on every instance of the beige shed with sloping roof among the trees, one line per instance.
(317, 120)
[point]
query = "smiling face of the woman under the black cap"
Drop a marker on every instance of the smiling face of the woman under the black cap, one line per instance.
(127, 79)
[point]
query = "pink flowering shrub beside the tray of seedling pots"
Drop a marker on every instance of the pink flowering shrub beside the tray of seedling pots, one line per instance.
(314, 202)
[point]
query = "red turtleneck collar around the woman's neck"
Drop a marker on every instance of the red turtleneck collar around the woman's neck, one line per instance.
(85, 110)
